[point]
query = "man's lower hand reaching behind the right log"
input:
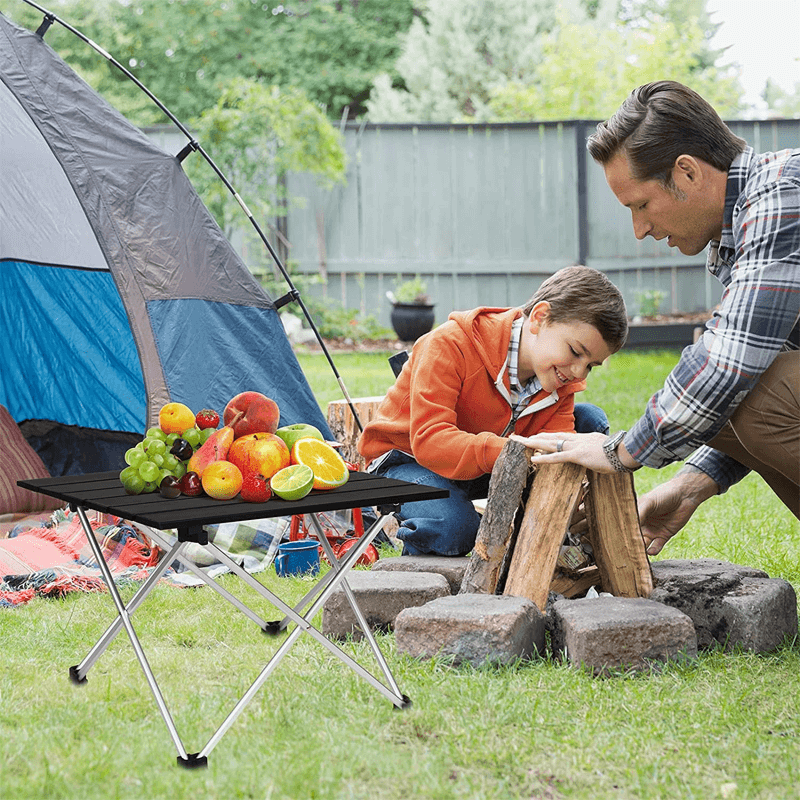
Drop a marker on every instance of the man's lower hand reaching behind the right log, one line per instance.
(667, 508)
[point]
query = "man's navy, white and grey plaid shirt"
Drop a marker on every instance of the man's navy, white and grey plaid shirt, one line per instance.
(759, 263)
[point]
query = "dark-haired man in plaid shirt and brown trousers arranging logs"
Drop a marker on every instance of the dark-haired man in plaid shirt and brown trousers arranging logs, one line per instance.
(732, 403)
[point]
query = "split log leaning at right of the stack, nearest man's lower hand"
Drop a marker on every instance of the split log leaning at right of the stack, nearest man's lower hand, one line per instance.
(616, 536)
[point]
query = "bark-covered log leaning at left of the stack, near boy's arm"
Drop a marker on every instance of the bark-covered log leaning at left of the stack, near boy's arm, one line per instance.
(495, 534)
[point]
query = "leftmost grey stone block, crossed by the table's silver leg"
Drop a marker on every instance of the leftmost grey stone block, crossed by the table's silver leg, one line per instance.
(380, 596)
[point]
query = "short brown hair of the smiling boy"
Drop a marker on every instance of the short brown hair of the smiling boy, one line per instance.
(583, 294)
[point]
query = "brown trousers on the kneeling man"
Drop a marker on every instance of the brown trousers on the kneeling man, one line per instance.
(764, 431)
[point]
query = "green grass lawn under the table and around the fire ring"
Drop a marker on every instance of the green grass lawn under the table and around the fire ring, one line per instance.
(724, 725)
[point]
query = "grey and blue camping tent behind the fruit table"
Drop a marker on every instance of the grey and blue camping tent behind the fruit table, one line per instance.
(118, 291)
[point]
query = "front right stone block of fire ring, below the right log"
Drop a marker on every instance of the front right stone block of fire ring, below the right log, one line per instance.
(605, 633)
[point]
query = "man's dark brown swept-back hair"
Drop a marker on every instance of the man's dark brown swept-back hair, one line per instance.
(659, 122)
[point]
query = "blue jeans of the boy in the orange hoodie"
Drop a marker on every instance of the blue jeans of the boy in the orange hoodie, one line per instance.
(448, 527)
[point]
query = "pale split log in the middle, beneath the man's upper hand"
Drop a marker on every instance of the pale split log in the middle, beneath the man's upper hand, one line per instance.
(555, 492)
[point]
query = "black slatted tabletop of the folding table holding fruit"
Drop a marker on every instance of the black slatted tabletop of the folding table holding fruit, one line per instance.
(103, 491)
